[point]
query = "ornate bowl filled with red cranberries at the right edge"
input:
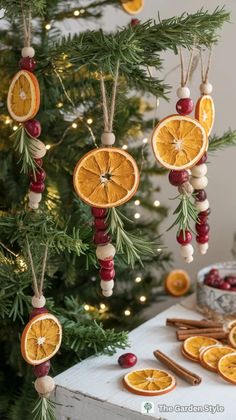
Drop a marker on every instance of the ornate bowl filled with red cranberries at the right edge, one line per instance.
(216, 290)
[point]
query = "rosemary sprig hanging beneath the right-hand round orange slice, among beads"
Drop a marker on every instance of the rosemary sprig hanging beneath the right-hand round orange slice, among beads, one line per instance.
(186, 212)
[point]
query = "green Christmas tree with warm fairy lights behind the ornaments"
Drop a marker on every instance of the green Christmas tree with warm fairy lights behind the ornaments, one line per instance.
(69, 70)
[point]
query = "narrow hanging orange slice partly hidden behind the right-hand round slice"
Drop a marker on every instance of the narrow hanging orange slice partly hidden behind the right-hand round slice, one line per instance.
(205, 112)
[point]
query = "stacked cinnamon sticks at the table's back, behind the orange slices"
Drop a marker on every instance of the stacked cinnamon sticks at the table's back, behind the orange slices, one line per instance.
(189, 328)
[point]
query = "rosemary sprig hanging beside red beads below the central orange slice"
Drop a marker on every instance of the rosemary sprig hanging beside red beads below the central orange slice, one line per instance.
(133, 246)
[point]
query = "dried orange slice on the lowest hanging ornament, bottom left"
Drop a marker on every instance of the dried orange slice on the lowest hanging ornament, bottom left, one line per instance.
(41, 339)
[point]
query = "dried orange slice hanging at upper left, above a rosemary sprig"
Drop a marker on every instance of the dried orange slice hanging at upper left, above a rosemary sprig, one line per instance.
(23, 98)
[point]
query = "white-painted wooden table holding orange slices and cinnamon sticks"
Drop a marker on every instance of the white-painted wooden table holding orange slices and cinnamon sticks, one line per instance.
(93, 390)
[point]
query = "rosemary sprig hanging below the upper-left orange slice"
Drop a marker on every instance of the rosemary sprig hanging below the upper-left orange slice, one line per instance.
(23, 146)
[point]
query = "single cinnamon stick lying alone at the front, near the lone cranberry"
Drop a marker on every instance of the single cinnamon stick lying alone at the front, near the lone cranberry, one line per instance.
(179, 370)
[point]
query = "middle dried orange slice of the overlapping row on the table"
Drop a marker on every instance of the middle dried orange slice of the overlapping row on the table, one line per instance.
(210, 357)
